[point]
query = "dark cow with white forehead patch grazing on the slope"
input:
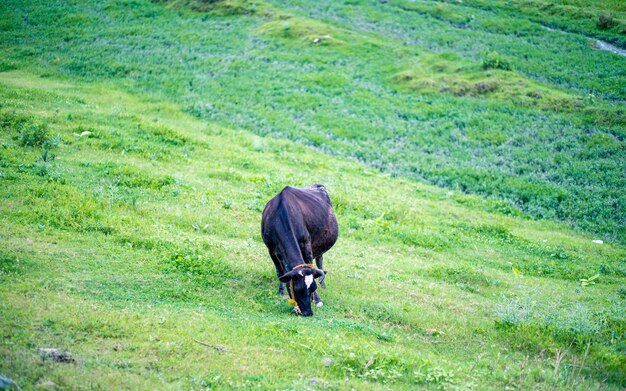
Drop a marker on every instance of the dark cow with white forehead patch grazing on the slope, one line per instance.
(299, 225)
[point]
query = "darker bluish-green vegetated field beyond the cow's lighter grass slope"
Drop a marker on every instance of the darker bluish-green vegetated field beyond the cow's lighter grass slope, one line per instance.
(499, 107)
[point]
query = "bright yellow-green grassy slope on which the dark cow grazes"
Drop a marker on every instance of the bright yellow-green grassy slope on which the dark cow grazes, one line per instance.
(123, 244)
